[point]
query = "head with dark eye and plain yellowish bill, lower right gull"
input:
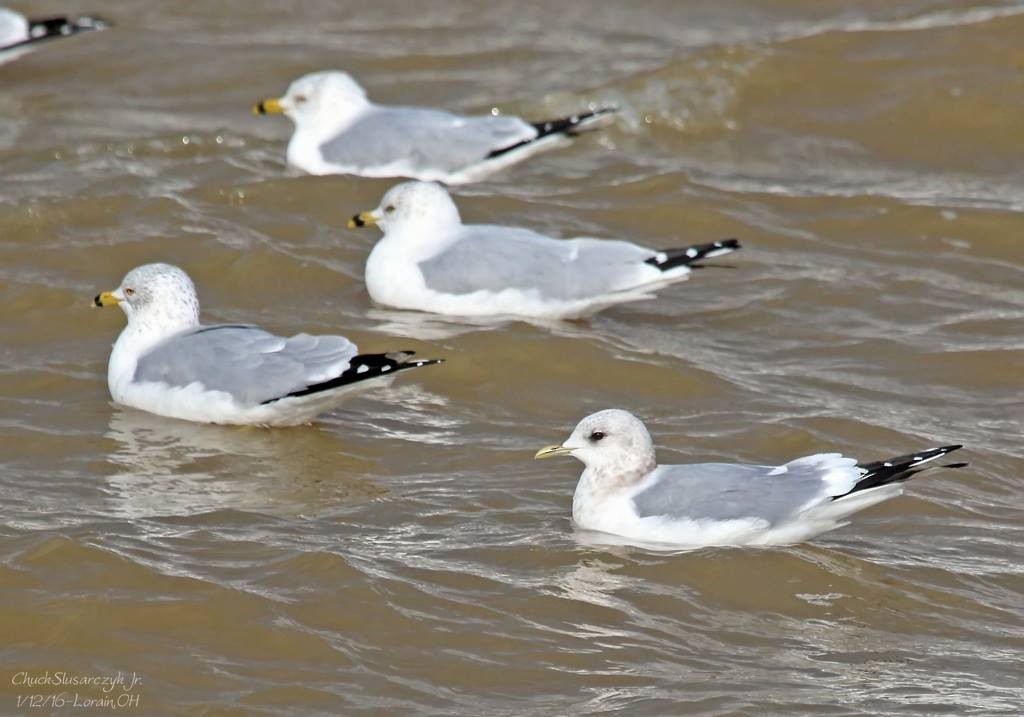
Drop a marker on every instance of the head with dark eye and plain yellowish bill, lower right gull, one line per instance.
(614, 445)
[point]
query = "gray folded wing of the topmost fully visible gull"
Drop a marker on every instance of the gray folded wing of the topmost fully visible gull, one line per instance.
(424, 139)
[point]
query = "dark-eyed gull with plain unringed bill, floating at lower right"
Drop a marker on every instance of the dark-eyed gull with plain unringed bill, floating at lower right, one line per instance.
(624, 491)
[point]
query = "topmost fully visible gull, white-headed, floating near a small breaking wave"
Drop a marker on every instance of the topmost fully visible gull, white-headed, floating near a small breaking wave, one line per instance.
(338, 131)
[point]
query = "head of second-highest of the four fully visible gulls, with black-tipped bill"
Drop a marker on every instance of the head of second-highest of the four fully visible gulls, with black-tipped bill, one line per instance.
(412, 204)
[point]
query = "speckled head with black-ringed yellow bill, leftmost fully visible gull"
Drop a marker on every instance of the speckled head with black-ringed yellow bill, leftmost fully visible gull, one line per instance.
(158, 297)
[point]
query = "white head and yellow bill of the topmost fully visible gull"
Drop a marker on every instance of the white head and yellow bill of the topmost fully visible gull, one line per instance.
(323, 98)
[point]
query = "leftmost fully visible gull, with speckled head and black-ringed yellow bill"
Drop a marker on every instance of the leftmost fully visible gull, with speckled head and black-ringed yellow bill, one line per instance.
(165, 362)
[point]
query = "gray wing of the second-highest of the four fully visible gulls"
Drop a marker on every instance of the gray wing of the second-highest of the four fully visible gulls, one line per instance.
(494, 259)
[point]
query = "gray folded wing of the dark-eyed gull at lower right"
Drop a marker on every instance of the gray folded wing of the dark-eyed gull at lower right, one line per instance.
(732, 492)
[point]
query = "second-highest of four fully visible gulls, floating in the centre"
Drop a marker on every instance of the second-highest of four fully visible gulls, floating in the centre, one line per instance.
(430, 261)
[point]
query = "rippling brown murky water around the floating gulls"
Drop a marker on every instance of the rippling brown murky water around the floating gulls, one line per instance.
(406, 557)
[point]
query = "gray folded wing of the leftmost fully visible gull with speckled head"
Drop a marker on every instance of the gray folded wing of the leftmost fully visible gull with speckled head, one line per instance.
(248, 363)
